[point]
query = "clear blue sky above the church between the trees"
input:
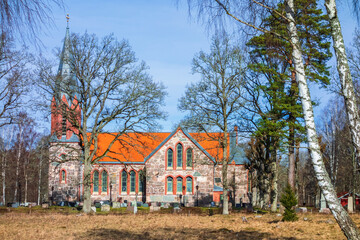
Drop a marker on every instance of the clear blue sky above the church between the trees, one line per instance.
(160, 32)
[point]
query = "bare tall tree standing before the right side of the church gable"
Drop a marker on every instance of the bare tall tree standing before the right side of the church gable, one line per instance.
(215, 100)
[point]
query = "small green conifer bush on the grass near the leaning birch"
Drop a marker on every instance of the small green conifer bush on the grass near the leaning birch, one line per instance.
(289, 201)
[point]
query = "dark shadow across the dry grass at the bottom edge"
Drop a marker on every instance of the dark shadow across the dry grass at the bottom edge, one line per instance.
(172, 233)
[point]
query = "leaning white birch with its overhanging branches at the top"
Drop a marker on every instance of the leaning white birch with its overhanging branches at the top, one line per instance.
(215, 8)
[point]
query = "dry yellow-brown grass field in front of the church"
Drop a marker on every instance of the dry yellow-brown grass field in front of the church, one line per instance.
(166, 226)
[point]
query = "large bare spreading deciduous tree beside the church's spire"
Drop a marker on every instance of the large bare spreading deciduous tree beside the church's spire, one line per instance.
(106, 86)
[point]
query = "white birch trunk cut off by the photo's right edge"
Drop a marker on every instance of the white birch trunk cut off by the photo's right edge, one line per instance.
(347, 86)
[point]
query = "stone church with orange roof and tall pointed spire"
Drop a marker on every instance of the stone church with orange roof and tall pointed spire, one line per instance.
(149, 167)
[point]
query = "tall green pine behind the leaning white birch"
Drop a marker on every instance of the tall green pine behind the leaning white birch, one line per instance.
(271, 59)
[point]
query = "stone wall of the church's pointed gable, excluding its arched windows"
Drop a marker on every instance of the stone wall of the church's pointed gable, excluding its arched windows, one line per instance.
(202, 173)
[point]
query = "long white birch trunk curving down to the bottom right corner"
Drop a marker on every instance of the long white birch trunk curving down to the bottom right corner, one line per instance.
(342, 217)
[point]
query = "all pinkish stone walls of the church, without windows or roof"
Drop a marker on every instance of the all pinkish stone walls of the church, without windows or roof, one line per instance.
(203, 173)
